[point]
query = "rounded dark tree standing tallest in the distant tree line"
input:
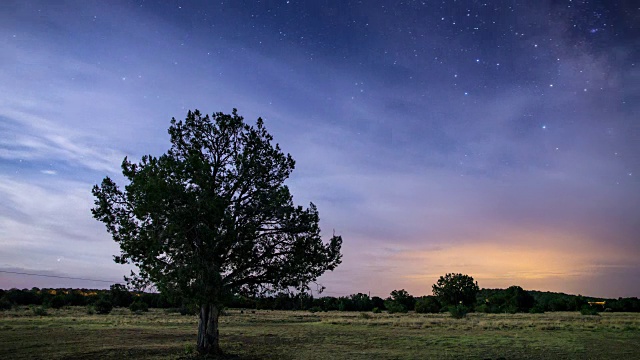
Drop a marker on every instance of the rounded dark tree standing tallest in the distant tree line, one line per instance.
(455, 289)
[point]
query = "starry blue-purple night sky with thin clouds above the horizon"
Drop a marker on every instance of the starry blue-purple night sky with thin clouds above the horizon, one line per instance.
(500, 139)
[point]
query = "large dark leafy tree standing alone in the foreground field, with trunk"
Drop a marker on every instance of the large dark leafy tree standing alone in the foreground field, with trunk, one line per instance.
(212, 217)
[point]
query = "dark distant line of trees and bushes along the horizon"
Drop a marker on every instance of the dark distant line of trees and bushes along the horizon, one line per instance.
(454, 293)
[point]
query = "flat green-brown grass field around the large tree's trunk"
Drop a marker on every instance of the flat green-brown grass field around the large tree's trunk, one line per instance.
(70, 333)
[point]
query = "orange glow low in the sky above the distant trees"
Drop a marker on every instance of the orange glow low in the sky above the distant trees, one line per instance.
(548, 262)
